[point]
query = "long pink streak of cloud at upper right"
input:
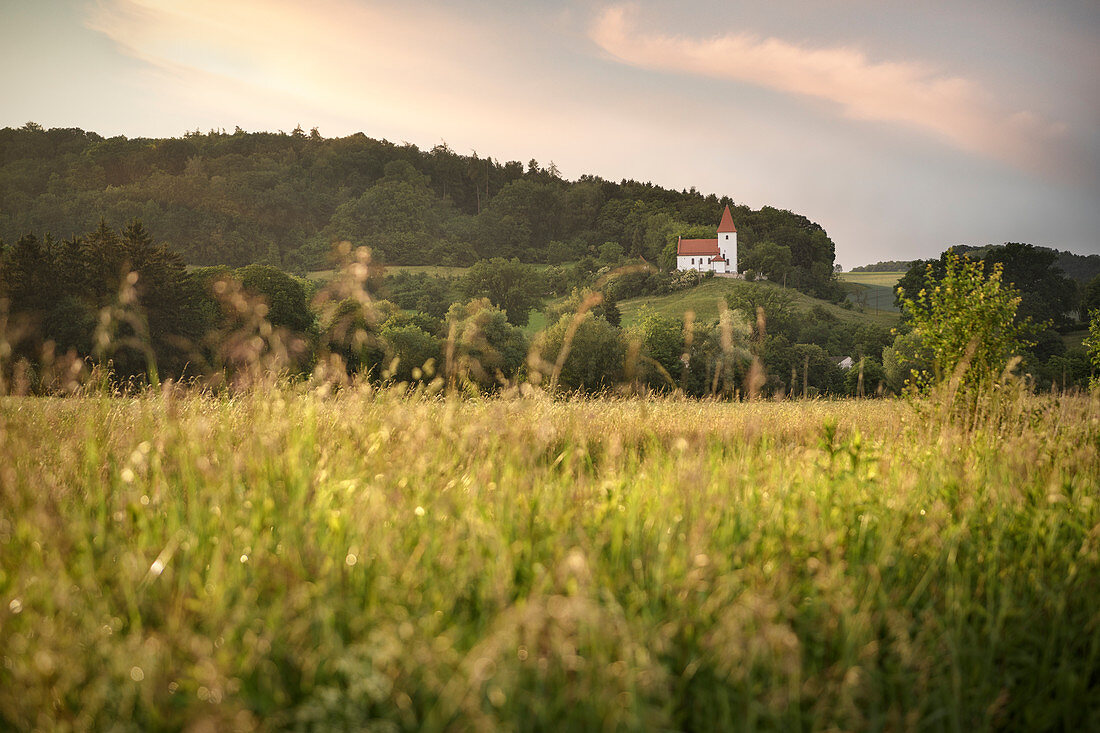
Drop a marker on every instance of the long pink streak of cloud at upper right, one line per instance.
(952, 108)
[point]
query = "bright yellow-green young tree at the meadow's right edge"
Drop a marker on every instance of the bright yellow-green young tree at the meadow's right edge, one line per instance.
(967, 321)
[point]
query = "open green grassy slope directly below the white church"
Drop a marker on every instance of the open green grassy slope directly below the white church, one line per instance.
(705, 300)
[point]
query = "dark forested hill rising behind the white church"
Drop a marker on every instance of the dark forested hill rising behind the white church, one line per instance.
(283, 199)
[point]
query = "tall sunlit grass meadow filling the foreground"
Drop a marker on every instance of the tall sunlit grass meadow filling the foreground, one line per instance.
(290, 560)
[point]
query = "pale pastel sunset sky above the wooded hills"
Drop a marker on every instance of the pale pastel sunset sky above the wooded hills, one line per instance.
(903, 128)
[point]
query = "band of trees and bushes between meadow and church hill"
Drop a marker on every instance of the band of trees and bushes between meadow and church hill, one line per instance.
(116, 303)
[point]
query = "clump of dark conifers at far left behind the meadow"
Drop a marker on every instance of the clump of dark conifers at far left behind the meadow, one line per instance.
(133, 293)
